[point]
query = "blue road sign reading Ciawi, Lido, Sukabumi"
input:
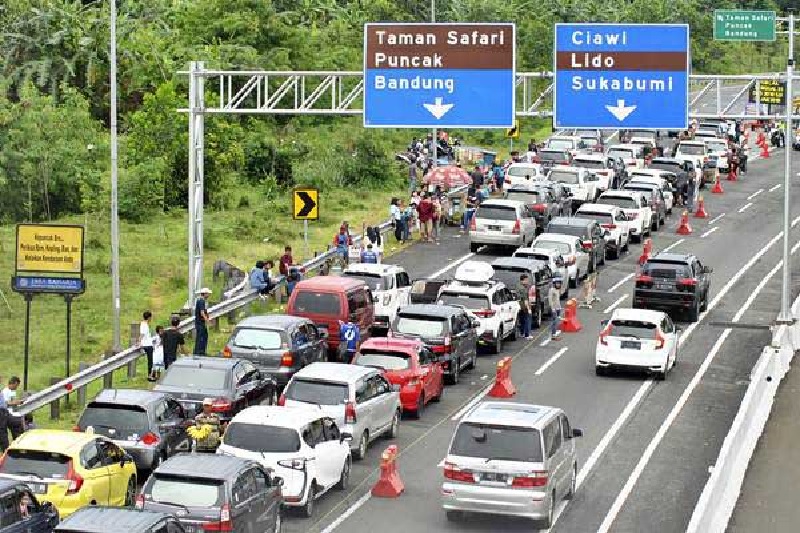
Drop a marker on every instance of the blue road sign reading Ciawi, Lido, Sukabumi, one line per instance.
(621, 76)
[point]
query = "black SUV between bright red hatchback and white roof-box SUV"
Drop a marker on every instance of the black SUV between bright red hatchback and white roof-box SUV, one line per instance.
(447, 330)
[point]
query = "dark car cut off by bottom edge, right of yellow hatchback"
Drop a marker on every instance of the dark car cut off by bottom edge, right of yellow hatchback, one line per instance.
(114, 519)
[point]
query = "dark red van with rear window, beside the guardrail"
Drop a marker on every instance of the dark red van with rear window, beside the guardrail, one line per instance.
(327, 300)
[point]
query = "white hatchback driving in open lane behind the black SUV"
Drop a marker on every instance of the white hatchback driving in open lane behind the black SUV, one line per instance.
(637, 339)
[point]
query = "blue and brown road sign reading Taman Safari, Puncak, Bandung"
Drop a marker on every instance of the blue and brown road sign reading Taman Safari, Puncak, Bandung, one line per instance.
(439, 75)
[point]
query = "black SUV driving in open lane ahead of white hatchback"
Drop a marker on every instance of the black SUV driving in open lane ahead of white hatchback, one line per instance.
(673, 282)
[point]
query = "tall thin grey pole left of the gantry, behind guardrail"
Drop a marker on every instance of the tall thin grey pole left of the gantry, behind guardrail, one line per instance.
(114, 211)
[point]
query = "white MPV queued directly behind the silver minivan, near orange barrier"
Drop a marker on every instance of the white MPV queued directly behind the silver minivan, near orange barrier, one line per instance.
(300, 444)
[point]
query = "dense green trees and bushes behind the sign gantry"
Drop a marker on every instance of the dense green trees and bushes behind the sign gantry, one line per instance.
(54, 90)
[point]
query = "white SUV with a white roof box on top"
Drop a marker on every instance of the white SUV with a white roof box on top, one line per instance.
(492, 303)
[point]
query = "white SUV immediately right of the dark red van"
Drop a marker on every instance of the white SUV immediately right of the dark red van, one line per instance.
(390, 285)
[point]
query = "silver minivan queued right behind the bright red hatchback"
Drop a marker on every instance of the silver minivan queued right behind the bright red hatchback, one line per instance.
(359, 399)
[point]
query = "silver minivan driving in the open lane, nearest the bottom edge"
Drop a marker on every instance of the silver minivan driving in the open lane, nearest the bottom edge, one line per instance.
(511, 459)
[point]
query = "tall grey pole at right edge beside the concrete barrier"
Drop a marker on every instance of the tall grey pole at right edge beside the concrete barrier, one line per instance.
(785, 316)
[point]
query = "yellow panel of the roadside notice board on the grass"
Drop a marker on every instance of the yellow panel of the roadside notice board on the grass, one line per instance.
(49, 248)
